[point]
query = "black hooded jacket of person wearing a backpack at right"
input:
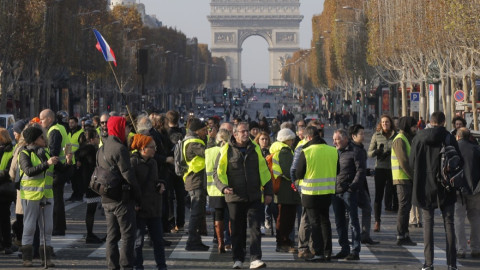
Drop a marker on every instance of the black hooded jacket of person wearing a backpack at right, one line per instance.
(428, 193)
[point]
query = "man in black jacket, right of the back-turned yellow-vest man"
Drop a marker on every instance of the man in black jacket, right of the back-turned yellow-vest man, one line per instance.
(349, 180)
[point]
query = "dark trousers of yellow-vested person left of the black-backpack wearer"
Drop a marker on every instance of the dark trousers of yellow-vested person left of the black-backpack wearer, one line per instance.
(404, 194)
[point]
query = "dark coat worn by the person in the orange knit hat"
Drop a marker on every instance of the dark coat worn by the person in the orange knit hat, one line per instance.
(147, 176)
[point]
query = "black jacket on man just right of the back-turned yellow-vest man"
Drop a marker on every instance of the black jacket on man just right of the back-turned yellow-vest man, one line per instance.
(352, 171)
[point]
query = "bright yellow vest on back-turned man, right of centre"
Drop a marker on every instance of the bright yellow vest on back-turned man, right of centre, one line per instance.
(321, 170)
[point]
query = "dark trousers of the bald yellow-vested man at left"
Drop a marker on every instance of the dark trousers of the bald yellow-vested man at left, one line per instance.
(59, 221)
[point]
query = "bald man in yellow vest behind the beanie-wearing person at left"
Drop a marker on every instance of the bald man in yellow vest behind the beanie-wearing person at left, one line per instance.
(57, 140)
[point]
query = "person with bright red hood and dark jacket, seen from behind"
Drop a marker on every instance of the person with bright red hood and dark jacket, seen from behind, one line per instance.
(119, 212)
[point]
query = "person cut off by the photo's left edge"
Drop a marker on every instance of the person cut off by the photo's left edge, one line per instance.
(7, 191)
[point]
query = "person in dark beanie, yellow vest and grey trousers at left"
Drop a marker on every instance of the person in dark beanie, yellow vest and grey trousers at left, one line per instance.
(36, 174)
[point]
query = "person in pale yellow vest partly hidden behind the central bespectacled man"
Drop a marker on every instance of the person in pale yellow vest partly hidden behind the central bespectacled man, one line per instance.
(216, 198)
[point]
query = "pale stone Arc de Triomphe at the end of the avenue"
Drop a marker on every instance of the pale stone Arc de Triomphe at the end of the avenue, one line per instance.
(233, 21)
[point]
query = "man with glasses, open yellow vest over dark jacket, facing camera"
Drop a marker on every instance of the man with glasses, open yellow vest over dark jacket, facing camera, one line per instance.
(242, 174)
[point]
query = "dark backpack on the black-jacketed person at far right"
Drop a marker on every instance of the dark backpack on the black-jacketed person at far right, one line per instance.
(451, 170)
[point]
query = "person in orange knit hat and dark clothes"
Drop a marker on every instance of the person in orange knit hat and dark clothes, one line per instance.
(149, 211)
